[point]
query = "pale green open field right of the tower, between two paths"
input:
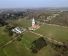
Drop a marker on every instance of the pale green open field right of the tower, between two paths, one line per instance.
(58, 33)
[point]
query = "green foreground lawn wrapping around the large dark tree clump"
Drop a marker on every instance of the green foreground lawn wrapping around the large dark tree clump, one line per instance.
(22, 48)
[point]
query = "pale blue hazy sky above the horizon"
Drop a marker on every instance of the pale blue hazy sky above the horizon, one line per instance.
(33, 3)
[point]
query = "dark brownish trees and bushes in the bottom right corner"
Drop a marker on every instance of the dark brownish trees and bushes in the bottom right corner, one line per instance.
(60, 50)
